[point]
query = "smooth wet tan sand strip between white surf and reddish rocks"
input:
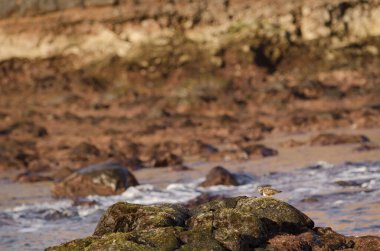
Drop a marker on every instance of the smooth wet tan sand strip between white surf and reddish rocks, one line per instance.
(289, 159)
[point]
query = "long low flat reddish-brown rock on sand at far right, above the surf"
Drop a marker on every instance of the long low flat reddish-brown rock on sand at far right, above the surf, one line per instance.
(336, 139)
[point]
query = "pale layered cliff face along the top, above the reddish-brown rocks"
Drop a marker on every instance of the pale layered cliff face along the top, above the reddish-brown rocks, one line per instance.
(145, 33)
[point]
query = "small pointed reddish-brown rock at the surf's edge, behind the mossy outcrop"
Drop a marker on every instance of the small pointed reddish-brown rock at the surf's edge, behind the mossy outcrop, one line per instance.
(219, 176)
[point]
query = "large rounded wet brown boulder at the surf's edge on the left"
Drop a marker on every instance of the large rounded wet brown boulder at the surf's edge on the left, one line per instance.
(107, 178)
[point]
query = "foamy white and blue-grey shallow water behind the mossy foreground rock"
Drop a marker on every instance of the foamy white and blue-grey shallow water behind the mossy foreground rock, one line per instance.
(345, 197)
